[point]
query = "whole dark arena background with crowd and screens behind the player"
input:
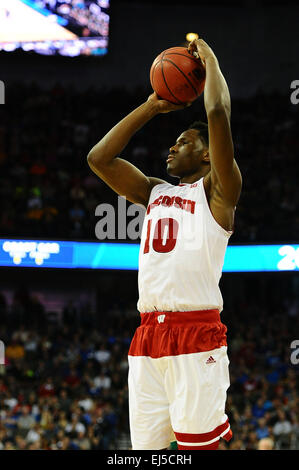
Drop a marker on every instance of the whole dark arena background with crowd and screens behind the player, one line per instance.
(70, 71)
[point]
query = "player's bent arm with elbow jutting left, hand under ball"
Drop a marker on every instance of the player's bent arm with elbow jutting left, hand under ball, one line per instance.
(123, 177)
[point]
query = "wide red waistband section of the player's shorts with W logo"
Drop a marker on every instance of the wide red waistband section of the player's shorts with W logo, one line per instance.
(172, 333)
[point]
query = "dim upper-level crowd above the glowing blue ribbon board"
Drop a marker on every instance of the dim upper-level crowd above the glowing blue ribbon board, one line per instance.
(48, 190)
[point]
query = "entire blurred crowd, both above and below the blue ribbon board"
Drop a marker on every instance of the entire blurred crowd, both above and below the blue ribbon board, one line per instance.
(64, 384)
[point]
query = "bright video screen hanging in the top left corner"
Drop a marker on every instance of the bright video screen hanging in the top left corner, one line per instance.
(66, 27)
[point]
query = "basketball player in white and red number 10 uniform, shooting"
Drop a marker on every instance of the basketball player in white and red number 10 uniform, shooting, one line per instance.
(178, 363)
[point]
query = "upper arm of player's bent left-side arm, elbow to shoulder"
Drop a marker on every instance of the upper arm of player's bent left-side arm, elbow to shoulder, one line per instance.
(126, 180)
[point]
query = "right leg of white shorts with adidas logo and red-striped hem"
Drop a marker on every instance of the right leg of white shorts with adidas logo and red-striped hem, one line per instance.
(196, 386)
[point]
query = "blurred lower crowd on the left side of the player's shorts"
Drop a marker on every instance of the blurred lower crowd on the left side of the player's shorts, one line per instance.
(64, 383)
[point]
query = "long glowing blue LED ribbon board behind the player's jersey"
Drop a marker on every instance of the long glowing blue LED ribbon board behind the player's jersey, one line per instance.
(95, 255)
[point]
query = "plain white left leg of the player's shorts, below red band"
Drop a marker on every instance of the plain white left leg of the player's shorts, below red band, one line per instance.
(148, 405)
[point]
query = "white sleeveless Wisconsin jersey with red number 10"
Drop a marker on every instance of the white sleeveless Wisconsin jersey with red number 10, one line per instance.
(181, 252)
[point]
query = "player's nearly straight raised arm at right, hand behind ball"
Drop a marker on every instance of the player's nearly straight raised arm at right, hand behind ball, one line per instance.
(225, 173)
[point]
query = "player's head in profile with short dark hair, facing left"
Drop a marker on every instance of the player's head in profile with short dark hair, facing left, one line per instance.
(190, 152)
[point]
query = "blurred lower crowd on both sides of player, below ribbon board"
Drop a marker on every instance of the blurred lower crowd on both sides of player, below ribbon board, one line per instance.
(64, 385)
